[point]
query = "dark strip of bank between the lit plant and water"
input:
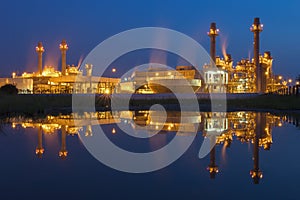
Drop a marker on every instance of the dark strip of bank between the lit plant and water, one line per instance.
(46, 104)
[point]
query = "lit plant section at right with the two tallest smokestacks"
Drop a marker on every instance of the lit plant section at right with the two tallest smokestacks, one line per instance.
(248, 76)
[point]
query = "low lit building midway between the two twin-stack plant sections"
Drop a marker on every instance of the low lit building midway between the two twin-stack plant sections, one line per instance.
(161, 80)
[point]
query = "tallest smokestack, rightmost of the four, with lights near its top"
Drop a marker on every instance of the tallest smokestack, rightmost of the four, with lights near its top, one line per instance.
(256, 28)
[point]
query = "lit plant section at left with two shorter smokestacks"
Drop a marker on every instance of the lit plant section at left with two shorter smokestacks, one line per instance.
(70, 79)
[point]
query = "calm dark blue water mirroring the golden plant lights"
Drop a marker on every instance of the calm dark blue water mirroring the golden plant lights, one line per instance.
(256, 156)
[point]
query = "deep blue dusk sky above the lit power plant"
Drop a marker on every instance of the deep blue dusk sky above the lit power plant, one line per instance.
(84, 24)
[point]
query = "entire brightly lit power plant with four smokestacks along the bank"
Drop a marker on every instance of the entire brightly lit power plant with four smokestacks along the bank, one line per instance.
(247, 76)
